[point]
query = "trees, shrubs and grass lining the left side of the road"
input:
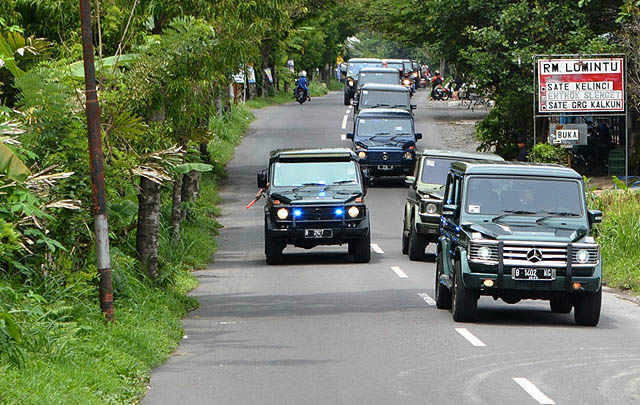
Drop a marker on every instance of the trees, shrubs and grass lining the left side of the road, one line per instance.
(168, 129)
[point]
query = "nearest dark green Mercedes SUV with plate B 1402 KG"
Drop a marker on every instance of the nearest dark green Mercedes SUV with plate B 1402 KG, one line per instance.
(518, 231)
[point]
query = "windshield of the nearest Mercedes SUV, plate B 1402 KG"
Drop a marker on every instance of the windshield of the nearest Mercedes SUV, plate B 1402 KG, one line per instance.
(500, 195)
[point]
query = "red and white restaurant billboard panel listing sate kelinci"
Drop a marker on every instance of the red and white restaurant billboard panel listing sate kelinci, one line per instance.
(581, 85)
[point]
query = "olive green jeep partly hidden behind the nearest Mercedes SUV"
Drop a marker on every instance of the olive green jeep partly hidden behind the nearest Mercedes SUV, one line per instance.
(422, 210)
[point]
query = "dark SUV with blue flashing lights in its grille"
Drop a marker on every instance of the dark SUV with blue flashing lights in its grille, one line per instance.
(314, 197)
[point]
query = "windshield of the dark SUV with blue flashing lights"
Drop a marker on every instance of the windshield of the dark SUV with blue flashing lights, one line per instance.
(295, 174)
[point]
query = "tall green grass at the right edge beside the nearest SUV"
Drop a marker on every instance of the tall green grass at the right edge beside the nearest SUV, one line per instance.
(619, 238)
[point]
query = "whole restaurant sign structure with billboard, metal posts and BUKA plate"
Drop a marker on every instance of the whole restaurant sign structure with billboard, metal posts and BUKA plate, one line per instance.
(574, 85)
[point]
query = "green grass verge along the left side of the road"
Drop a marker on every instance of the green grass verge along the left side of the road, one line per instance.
(54, 346)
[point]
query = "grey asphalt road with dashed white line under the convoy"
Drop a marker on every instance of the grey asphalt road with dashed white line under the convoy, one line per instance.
(321, 329)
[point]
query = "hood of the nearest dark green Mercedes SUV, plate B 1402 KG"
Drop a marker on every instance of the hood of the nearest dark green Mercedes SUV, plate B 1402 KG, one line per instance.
(529, 231)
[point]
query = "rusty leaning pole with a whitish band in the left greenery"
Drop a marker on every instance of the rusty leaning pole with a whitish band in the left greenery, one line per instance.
(96, 163)
